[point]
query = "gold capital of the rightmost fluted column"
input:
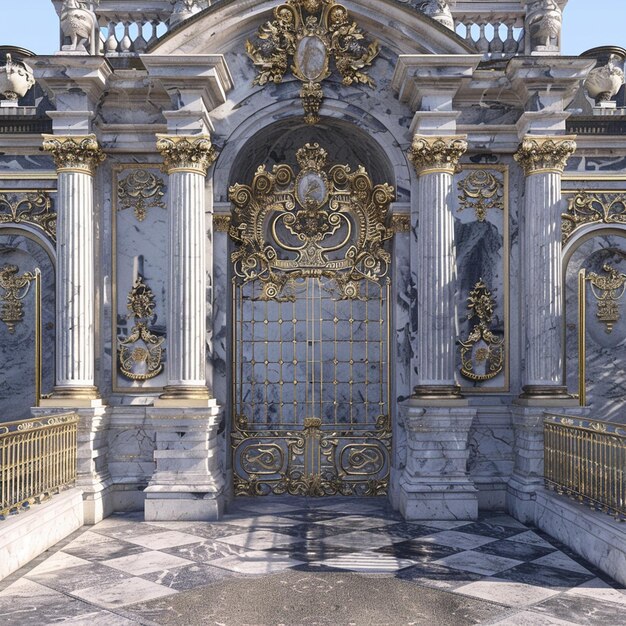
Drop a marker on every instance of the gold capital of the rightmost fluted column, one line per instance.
(539, 154)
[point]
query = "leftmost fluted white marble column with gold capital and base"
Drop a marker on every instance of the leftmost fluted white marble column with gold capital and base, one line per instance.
(76, 159)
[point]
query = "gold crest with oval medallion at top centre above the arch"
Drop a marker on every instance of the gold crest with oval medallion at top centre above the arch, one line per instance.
(306, 36)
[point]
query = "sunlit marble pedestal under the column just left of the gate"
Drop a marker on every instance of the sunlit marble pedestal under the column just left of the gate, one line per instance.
(188, 482)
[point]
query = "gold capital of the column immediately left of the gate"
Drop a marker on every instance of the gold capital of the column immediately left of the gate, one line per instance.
(186, 153)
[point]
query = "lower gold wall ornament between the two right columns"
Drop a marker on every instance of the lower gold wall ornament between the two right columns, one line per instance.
(482, 353)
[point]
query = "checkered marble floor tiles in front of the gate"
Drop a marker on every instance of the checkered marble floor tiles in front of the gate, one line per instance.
(104, 574)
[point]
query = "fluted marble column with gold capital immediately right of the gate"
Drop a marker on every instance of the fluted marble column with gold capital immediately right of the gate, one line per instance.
(435, 160)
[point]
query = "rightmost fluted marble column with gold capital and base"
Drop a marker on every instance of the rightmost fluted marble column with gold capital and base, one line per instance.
(543, 159)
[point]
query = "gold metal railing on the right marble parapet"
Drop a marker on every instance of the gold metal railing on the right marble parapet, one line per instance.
(586, 460)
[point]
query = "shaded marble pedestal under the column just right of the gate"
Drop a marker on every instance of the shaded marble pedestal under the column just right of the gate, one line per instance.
(435, 483)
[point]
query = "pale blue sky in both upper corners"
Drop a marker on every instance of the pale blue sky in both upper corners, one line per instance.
(33, 24)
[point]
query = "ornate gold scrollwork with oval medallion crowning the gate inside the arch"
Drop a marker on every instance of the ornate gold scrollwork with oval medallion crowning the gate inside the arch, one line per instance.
(322, 222)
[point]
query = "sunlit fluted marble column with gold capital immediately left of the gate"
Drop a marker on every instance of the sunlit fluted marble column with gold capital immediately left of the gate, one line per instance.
(187, 159)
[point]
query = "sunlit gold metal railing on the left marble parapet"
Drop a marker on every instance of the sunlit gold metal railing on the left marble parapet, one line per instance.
(37, 460)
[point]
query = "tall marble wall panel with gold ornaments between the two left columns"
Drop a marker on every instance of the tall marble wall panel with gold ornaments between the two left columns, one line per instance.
(139, 277)
